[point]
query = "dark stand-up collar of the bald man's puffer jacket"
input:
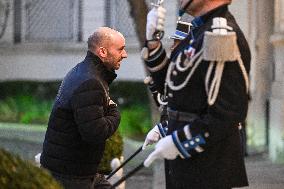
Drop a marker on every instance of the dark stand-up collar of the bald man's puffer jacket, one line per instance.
(100, 68)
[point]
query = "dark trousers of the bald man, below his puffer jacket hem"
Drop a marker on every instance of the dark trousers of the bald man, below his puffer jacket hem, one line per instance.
(97, 181)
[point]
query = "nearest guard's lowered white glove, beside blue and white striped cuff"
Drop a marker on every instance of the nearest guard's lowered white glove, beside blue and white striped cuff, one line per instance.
(165, 148)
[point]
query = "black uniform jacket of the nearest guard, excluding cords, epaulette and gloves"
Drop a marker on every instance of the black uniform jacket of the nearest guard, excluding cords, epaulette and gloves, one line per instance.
(221, 164)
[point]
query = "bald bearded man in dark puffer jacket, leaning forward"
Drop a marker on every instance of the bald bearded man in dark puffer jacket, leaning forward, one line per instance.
(83, 115)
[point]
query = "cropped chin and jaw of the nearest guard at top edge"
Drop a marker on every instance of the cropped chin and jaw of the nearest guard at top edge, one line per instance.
(199, 7)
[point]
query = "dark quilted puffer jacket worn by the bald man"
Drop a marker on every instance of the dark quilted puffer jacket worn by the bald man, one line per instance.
(81, 120)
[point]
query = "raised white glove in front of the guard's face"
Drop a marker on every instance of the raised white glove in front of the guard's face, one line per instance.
(155, 21)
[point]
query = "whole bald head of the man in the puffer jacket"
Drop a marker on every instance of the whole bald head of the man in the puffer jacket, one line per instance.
(109, 45)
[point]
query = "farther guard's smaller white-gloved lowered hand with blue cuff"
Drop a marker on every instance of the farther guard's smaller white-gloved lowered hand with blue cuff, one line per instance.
(155, 134)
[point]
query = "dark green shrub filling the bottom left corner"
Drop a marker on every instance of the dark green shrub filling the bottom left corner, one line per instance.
(16, 173)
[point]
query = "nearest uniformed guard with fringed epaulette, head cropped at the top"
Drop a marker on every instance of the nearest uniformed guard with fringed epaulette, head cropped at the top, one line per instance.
(205, 84)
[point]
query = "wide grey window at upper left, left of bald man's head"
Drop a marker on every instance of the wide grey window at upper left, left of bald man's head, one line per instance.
(45, 20)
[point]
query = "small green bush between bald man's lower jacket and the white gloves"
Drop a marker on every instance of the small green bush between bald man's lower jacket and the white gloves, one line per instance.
(113, 149)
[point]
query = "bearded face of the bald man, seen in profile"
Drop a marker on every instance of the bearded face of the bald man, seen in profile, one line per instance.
(116, 52)
